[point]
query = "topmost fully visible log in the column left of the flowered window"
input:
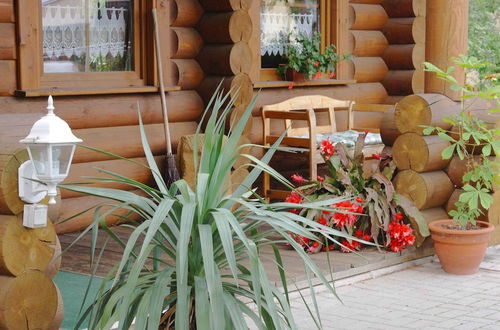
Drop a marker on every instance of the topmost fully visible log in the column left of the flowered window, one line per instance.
(226, 27)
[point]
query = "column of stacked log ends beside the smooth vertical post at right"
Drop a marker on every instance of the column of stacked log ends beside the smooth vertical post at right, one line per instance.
(405, 32)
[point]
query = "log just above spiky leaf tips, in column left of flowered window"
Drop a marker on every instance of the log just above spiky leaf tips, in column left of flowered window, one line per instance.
(240, 84)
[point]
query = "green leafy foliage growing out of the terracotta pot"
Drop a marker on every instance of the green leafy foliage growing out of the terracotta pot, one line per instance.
(472, 136)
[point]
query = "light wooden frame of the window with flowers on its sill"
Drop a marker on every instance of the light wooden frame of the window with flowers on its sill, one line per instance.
(333, 18)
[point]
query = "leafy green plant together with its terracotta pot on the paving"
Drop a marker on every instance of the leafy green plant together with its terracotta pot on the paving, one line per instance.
(461, 242)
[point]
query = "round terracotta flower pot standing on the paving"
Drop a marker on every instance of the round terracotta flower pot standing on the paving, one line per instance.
(460, 251)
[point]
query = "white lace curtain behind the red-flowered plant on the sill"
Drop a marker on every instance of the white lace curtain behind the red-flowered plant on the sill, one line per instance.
(278, 25)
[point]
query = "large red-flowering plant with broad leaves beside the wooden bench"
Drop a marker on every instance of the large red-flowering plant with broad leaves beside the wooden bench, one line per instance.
(371, 210)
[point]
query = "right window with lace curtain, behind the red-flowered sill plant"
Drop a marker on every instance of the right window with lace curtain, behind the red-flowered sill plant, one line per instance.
(282, 20)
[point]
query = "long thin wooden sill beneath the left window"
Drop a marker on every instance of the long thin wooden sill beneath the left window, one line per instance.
(92, 91)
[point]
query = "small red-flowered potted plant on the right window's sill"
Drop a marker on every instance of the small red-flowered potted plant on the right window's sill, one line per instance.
(306, 61)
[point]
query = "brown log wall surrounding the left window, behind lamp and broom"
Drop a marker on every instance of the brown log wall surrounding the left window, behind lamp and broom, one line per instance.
(107, 122)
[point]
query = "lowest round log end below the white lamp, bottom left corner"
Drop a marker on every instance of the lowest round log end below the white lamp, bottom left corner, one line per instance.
(28, 301)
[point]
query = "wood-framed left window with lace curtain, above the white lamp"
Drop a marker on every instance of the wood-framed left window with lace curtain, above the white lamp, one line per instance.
(77, 45)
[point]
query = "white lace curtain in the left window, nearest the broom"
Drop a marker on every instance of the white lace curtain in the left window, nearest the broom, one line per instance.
(64, 30)
